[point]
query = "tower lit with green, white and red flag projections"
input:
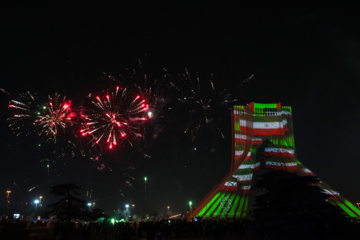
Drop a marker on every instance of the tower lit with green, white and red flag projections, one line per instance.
(262, 138)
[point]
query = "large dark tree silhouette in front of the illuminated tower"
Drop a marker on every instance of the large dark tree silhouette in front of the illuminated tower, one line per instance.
(295, 204)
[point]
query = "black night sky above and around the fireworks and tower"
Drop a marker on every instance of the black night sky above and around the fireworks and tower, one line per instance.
(303, 56)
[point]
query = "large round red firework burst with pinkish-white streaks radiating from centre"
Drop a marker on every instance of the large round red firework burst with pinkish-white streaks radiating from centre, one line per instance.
(114, 117)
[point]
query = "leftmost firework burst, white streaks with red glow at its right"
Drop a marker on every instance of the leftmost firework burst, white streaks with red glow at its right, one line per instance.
(44, 118)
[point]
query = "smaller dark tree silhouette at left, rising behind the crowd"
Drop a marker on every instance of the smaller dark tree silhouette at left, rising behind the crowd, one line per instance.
(68, 207)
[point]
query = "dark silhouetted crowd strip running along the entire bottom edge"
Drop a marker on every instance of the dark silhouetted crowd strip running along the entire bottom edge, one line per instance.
(172, 229)
